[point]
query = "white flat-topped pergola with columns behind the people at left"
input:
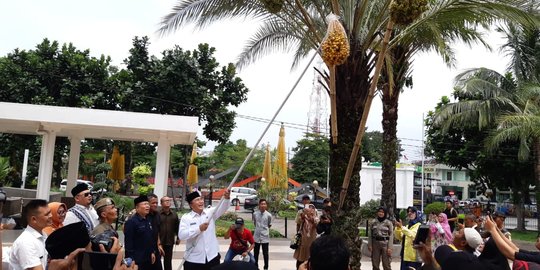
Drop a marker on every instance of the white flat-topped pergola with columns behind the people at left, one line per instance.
(78, 124)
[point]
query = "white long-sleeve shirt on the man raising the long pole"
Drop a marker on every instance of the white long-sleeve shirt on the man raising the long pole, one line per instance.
(201, 246)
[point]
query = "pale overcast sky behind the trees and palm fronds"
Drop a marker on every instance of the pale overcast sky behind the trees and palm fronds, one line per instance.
(108, 27)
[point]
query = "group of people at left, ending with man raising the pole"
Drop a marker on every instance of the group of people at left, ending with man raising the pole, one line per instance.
(82, 237)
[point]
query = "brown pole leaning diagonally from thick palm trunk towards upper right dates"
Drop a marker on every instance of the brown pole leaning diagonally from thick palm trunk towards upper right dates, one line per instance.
(365, 114)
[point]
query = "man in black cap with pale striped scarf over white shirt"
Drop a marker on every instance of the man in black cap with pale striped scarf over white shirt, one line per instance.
(83, 210)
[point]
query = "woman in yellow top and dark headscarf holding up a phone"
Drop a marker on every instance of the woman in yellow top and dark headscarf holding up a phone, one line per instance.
(407, 234)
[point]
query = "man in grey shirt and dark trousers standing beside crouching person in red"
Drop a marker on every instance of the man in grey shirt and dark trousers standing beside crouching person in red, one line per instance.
(263, 221)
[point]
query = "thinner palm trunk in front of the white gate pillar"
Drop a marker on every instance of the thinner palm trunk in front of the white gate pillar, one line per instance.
(389, 148)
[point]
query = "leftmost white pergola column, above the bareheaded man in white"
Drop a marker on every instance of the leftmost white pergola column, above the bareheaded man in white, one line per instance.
(45, 164)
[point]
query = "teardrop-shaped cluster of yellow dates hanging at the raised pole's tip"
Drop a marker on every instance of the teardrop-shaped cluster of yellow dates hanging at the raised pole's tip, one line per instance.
(335, 45)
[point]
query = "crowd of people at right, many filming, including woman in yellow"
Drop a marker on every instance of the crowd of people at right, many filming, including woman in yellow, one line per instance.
(476, 242)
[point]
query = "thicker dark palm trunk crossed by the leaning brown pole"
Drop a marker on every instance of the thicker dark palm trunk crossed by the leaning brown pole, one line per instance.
(352, 82)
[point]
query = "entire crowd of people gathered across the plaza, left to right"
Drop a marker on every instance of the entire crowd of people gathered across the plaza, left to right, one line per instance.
(83, 237)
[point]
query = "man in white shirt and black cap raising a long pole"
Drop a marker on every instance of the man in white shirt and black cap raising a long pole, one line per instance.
(198, 228)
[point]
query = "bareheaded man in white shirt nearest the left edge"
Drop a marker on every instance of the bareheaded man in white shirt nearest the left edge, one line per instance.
(28, 250)
